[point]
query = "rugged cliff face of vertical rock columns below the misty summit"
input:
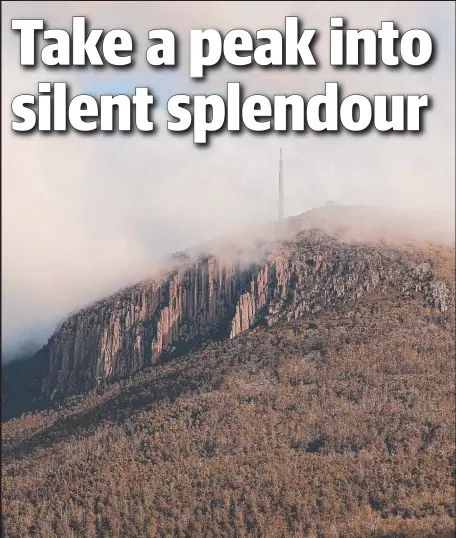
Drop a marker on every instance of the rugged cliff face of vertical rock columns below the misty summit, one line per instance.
(211, 297)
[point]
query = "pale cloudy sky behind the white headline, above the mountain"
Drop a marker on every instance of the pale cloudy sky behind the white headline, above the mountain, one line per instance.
(83, 215)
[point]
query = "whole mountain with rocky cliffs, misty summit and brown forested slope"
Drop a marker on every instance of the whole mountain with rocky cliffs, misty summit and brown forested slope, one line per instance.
(298, 380)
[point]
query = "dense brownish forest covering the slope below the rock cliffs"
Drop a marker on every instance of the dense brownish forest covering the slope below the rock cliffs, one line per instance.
(339, 425)
